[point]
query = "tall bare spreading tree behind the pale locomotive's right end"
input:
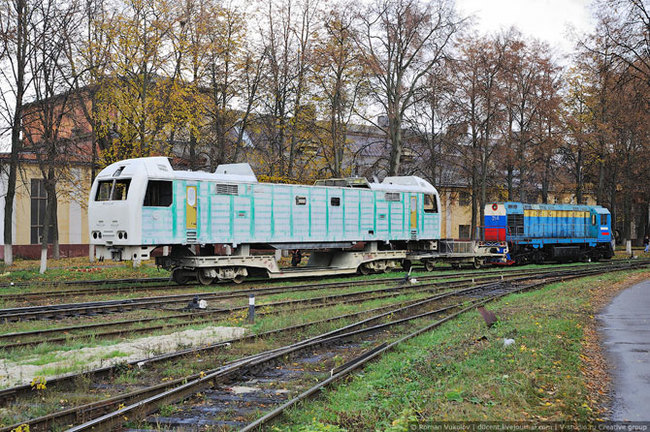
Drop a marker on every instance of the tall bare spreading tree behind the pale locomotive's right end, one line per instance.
(400, 42)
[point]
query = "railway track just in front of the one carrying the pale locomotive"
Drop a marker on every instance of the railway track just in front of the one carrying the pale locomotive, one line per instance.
(58, 311)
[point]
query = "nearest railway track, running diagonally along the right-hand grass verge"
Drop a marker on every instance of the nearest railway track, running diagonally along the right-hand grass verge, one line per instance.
(151, 398)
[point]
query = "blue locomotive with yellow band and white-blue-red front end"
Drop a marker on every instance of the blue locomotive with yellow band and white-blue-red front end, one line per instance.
(550, 232)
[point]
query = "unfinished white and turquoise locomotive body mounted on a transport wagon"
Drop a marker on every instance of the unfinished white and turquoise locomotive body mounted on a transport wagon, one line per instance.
(138, 205)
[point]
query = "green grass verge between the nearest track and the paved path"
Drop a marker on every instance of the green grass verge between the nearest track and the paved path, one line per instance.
(462, 371)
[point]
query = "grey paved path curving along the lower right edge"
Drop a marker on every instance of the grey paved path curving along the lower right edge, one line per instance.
(626, 331)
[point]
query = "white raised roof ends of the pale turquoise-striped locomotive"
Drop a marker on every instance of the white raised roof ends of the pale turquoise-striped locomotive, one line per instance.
(159, 167)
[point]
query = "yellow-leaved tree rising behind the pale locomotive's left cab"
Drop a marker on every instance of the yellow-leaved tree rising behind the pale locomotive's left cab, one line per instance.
(138, 103)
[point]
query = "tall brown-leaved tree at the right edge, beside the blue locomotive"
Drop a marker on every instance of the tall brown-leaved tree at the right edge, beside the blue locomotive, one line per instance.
(615, 91)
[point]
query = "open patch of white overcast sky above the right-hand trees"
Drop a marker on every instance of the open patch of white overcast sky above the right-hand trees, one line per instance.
(548, 20)
